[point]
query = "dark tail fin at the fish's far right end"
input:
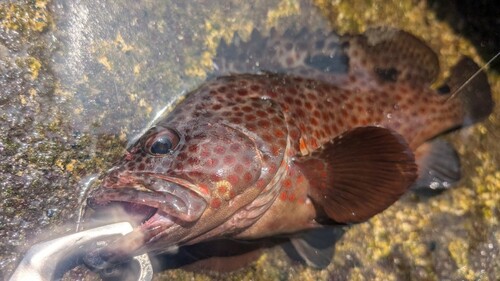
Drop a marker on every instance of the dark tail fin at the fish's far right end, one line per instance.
(469, 83)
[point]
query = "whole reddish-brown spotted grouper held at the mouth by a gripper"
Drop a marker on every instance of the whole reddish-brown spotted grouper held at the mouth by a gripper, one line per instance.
(293, 132)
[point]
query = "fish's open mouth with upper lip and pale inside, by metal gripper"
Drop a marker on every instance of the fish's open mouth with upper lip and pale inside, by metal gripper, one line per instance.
(141, 205)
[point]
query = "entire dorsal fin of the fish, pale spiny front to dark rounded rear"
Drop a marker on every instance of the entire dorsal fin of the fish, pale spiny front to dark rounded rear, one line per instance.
(386, 54)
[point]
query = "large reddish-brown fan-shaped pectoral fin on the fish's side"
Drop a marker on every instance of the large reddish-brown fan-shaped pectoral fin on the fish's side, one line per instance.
(359, 174)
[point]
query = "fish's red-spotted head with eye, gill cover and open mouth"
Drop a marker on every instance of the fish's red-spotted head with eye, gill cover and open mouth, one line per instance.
(178, 181)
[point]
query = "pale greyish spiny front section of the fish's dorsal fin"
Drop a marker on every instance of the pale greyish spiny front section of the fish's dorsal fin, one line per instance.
(317, 55)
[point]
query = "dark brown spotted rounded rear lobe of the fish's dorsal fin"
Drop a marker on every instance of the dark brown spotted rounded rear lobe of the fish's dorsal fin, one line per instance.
(394, 55)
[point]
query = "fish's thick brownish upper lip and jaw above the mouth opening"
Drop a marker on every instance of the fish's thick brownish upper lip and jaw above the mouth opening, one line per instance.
(173, 200)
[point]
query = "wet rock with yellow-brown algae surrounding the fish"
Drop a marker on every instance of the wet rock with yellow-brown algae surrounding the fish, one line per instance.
(78, 80)
